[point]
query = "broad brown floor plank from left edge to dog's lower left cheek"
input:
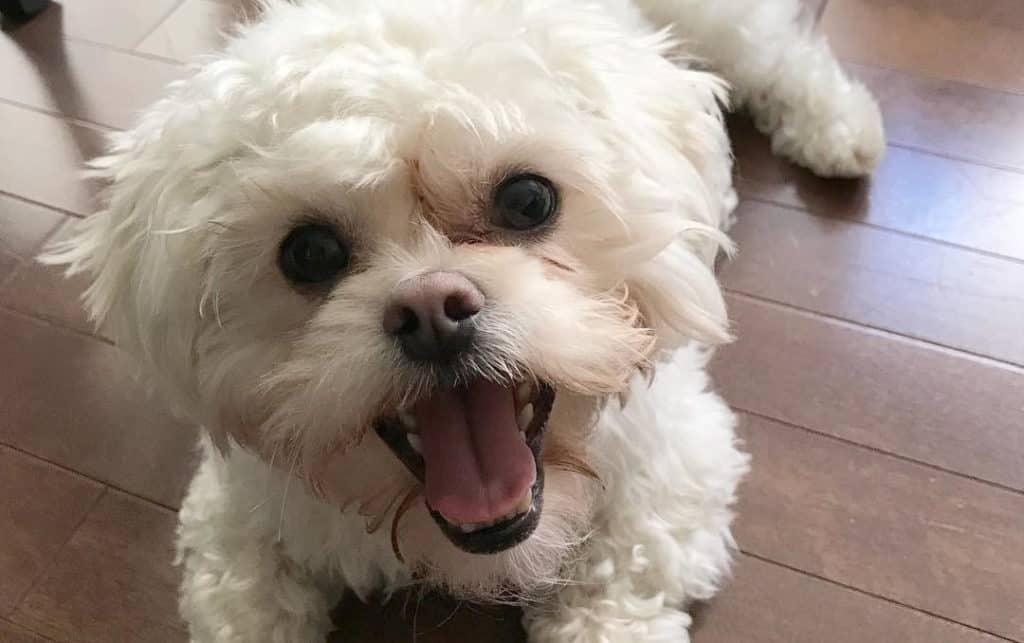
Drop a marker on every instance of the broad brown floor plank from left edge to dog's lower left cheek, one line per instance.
(73, 400)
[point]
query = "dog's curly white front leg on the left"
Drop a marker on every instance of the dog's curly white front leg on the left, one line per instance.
(238, 586)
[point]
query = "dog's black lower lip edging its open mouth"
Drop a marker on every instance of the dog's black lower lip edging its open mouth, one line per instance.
(399, 434)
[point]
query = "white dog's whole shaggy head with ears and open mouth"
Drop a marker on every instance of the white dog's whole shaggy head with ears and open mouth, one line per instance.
(413, 255)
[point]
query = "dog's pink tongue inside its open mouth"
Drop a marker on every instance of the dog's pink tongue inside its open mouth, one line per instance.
(478, 465)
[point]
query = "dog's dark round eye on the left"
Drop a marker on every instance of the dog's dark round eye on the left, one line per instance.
(313, 254)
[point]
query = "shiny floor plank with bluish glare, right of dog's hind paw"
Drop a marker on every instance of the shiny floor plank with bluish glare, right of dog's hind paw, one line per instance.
(949, 118)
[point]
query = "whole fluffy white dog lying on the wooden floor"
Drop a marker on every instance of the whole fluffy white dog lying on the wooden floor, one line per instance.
(437, 280)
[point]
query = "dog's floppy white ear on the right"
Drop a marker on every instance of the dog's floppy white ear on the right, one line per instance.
(689, 162)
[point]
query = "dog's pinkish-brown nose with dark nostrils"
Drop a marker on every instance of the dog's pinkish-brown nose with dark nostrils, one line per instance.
(432, 316)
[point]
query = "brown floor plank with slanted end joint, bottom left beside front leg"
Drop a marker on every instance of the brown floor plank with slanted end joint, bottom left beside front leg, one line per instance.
(113, 582)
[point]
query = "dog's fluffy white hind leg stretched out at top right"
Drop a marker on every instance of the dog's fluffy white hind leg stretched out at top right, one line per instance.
(786, 75)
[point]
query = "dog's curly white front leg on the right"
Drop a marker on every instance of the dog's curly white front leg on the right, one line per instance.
(670, 466)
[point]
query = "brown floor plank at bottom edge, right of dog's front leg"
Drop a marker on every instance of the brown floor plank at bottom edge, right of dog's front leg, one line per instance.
(772, 605)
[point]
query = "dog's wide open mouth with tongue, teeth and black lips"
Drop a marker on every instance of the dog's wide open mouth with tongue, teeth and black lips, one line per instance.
(477, 450)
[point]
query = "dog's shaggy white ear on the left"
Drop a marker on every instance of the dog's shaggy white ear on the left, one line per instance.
(143, 284)
